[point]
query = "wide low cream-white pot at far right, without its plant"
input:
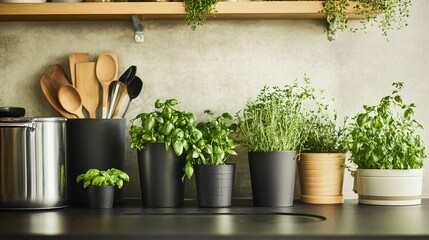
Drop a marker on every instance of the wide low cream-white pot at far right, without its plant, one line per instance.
(389, 187)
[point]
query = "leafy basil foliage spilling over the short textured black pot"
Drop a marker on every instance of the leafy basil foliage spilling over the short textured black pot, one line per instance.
(215, 146)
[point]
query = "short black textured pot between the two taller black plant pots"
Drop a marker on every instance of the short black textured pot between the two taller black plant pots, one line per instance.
(214, 185)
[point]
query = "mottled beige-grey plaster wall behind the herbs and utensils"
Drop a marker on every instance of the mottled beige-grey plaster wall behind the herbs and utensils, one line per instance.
(222, 64)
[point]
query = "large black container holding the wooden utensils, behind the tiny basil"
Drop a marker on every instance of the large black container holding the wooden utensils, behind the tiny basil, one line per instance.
(93, 143)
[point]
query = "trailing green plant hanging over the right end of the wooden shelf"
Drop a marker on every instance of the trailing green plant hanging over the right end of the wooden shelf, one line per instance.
(389, 15)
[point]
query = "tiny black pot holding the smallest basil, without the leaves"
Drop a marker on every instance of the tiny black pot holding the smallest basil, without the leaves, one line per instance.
(101, 197)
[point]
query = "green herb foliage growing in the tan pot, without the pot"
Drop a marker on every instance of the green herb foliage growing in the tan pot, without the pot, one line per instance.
(325, 135)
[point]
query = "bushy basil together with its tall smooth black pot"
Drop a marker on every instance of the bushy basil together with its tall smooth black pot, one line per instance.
(161, 137)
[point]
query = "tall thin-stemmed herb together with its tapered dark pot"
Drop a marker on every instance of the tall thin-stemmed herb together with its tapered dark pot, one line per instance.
(272, 128)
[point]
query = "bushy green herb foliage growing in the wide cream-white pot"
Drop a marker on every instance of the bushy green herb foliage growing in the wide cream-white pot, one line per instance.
(385, 136)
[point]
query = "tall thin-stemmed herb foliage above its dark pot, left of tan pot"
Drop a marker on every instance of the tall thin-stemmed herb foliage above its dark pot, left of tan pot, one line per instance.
(275, 120)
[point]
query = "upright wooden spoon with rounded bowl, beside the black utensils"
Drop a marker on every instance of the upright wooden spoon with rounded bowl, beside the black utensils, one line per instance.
(106, 71)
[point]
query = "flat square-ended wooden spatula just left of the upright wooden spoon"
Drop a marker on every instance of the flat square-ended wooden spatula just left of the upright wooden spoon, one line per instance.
(88, 87)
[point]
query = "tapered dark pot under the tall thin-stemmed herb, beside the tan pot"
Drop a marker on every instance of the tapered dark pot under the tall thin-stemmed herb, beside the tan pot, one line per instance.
(272, 176)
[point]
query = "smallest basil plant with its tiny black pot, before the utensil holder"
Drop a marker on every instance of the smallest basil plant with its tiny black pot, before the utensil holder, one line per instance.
(101, 185)
